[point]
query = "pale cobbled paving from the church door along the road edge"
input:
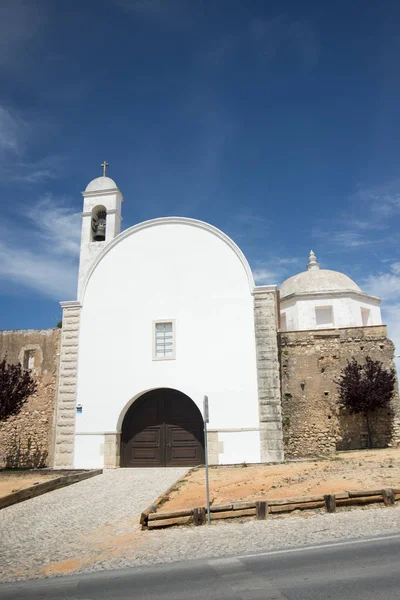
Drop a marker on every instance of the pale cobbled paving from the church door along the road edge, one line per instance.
(93, 525)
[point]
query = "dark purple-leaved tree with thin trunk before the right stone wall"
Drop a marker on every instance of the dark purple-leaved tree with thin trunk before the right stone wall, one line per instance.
(365, 388)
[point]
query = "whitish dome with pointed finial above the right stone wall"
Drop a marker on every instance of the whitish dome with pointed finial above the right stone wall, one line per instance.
(316, 281)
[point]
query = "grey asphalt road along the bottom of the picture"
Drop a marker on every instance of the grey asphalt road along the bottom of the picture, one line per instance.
(354, 570)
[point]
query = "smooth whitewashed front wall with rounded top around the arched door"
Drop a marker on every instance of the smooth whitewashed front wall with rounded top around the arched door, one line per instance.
(169, 269)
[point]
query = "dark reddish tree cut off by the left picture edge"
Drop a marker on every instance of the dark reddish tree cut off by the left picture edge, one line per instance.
(16, 385)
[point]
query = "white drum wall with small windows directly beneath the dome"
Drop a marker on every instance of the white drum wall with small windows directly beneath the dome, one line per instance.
(300, 312)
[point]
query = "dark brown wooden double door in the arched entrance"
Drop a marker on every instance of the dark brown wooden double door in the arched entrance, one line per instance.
(163, 428)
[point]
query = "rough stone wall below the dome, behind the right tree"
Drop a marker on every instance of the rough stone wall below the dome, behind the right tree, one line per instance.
(311, 361)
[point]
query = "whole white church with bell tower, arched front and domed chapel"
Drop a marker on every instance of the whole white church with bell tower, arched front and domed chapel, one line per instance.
(167, 311)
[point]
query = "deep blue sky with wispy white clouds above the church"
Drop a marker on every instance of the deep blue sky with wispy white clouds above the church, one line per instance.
(278, 122)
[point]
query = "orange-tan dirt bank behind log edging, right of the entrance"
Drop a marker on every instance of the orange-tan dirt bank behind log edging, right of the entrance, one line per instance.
(345, 471)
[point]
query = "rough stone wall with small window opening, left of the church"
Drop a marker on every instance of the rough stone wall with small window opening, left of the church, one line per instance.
(27, 438)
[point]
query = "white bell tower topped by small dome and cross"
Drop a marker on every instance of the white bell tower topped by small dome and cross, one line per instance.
(101, 220)
